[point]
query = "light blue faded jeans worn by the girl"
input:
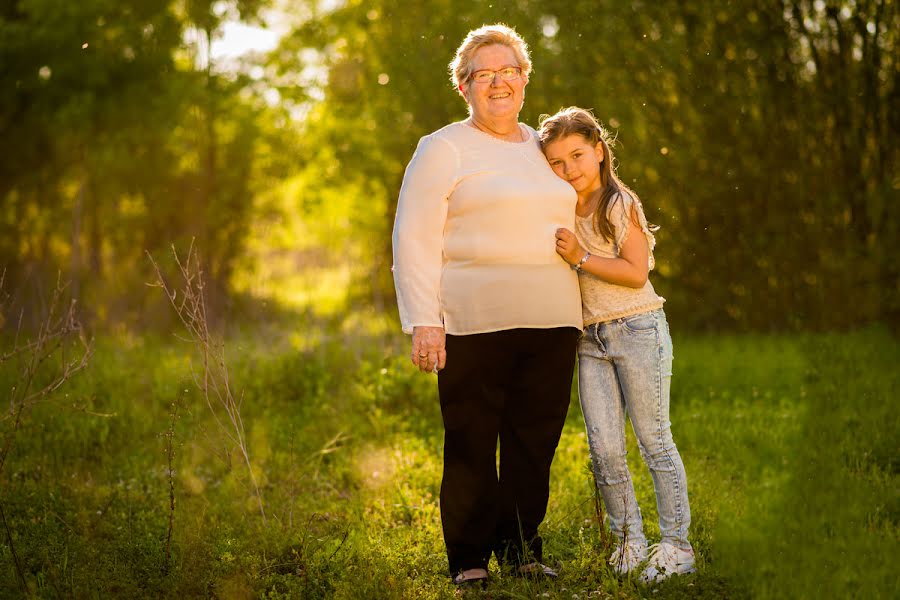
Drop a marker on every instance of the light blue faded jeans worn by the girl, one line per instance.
(625, 366)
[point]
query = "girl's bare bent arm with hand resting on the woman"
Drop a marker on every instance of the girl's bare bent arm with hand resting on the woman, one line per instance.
(629, 269)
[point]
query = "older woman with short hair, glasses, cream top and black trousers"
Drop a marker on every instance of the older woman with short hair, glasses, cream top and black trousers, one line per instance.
(491, 307)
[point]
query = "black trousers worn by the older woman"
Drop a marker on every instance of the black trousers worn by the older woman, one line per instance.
(514, 386)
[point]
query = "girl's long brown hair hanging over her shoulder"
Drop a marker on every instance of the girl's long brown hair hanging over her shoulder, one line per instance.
(578, 121)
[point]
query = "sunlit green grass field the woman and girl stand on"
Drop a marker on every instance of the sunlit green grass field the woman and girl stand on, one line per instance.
(790, 445)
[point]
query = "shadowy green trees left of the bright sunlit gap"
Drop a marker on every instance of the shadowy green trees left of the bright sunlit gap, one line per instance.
(120, 138)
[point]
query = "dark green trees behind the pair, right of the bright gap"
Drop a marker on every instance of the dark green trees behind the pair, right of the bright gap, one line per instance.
(755, 133)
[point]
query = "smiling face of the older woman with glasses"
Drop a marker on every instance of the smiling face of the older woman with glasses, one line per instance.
(497, 99)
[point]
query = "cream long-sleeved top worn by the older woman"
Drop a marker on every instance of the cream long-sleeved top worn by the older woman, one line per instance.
(474, 246)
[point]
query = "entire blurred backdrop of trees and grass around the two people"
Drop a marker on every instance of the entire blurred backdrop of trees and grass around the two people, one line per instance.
(280, 444)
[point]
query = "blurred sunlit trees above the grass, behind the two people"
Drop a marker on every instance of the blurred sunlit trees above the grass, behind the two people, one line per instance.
(761, 136)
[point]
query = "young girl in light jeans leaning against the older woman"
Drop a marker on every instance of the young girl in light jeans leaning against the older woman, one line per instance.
(625, 355)
